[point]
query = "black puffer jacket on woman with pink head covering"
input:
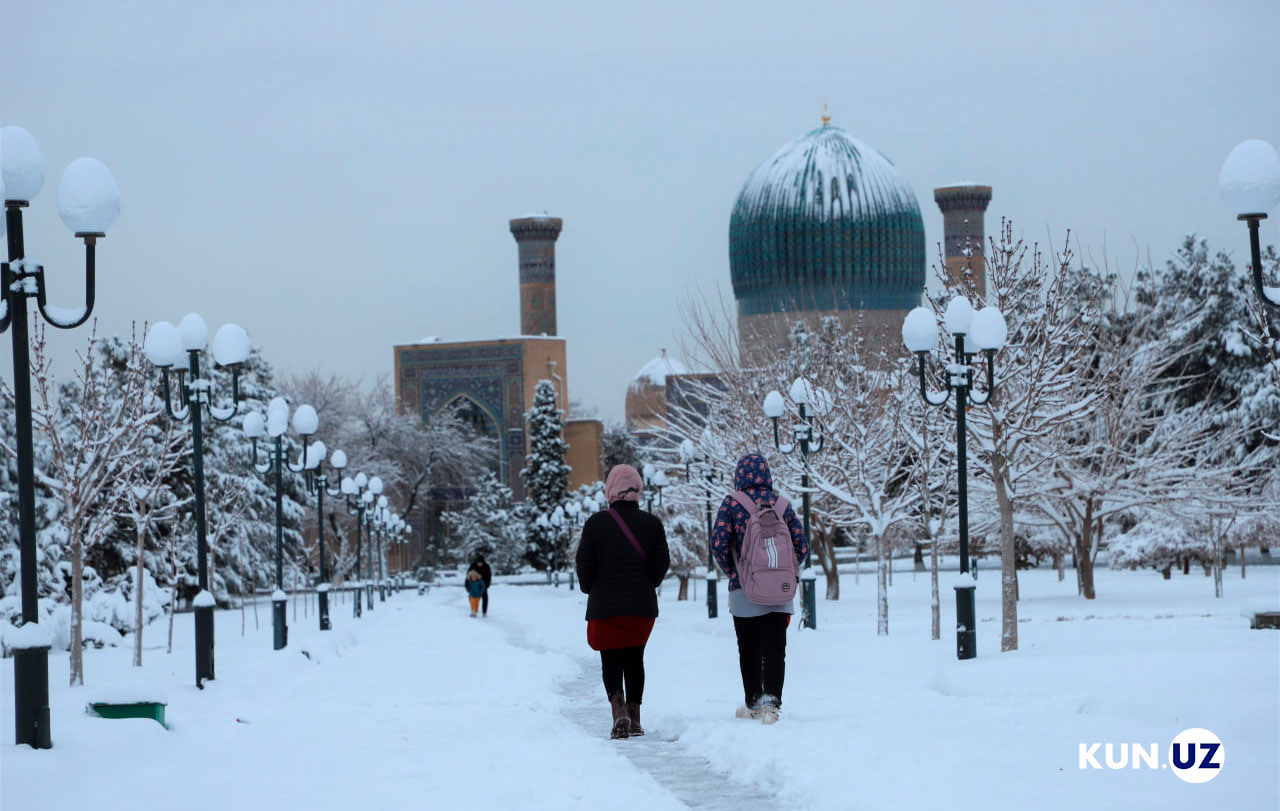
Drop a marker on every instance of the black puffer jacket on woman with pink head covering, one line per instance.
(610, 570)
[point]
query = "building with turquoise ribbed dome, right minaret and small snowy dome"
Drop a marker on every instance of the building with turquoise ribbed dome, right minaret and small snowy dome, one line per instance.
(829, 227)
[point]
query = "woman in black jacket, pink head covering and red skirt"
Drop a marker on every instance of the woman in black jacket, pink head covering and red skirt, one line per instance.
(621, 558)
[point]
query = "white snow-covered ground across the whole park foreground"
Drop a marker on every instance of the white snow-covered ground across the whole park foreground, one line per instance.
(419, 707)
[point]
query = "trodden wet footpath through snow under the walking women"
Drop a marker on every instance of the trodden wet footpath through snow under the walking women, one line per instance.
(689, 777)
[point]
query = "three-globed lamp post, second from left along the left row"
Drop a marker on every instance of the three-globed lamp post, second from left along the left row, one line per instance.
(166, 347)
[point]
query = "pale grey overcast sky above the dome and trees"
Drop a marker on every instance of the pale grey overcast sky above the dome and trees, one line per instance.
(337, 177)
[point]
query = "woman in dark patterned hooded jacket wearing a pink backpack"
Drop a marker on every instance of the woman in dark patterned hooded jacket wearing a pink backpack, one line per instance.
(756, 530)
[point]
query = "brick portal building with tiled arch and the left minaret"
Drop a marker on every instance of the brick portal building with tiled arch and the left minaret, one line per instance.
(491, 382)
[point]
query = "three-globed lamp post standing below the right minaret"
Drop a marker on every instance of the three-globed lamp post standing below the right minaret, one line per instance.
(984, 332)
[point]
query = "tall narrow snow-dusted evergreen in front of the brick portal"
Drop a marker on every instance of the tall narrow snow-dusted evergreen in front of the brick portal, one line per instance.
(546, 475)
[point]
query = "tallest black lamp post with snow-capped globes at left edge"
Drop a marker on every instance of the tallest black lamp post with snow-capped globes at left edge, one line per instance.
(89, 204)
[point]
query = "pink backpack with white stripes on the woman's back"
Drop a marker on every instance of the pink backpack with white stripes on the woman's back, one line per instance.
(767, 567)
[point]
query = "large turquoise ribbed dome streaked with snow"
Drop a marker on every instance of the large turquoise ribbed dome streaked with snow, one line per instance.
(828, 223)
